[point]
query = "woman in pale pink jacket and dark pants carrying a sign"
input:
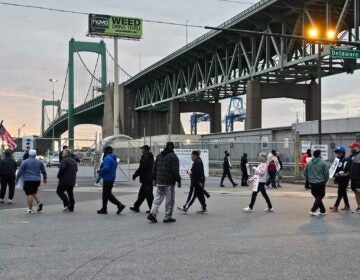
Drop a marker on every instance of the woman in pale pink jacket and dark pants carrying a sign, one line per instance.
(261, 172)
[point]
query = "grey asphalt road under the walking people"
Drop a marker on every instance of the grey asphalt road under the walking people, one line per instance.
(224, 244)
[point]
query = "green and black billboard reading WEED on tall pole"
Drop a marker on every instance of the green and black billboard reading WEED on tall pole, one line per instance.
(113, 26)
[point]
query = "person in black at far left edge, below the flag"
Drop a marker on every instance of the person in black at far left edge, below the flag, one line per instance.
(7, 172)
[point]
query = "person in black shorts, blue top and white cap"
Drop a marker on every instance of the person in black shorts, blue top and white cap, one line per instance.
(31, 170)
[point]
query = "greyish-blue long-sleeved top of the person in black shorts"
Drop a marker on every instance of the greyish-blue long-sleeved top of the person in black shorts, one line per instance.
(30, 170)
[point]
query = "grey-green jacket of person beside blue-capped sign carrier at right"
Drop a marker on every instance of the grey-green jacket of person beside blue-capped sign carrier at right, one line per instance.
(316, 171)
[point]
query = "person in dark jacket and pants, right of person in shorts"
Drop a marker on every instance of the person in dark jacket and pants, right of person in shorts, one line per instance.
(67, 179)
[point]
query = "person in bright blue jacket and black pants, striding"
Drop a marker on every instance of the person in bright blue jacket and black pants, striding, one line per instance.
(108, 173)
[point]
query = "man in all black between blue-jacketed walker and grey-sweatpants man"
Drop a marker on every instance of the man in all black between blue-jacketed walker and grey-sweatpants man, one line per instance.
(144, 172)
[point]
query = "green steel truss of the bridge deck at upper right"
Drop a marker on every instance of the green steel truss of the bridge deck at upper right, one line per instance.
(218, 65)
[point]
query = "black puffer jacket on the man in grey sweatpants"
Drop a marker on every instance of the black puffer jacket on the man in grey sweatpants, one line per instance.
(166, 169)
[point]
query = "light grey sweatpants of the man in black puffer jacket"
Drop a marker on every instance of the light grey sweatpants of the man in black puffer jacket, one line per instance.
(167, 192)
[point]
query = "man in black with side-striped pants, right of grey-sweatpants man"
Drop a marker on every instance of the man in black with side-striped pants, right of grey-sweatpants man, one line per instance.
(197, 184)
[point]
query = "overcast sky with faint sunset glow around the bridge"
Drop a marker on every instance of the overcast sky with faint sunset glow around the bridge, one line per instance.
(34, 48)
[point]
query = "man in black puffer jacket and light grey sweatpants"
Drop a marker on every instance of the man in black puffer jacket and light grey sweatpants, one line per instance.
(165, 175)
